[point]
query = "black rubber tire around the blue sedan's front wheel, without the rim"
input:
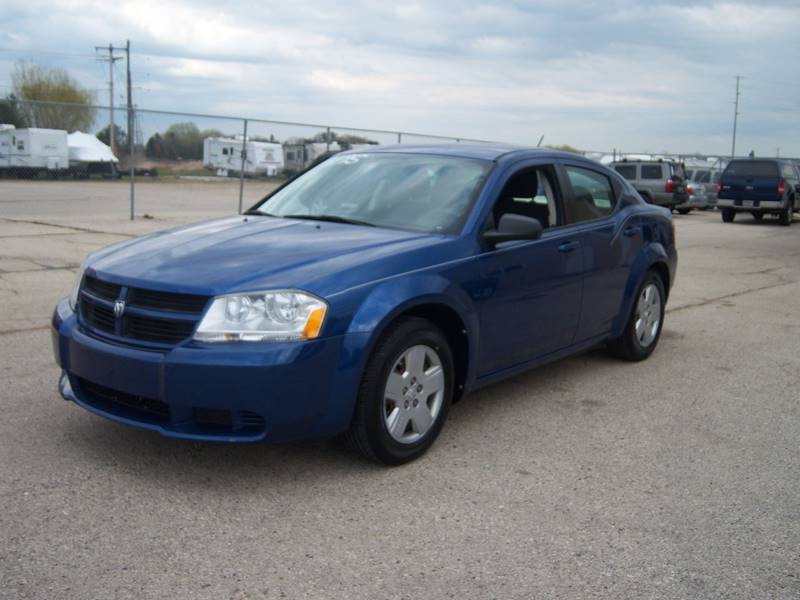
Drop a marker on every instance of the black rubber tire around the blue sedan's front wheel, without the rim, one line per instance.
(368, 433)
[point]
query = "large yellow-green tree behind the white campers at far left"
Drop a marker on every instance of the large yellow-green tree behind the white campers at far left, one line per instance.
(44, 84)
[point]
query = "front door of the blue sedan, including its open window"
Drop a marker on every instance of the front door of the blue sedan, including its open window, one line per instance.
(532, 299)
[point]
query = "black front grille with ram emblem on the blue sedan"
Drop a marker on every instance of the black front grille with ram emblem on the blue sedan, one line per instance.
(150, 316)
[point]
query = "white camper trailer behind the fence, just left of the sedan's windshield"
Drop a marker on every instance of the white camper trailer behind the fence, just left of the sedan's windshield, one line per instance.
(224, 155)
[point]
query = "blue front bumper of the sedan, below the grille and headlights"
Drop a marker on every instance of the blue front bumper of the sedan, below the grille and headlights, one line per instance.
(223, 392)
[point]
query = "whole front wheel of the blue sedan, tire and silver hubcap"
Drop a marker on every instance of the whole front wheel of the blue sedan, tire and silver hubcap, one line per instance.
(405, 393)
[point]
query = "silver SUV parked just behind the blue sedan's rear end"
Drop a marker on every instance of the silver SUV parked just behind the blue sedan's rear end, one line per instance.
(659, 182)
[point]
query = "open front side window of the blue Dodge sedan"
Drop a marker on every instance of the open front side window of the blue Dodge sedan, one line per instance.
(530, 193)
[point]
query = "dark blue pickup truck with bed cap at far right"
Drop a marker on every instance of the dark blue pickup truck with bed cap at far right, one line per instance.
(759, 186)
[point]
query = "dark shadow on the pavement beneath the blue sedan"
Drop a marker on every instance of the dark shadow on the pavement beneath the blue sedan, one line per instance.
(207, 465)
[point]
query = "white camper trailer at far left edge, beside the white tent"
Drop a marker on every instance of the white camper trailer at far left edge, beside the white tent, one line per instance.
(28, 152)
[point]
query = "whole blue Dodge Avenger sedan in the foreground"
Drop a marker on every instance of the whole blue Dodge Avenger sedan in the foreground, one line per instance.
(365, 296)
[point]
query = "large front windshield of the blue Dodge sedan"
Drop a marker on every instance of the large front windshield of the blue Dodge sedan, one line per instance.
(415, 192)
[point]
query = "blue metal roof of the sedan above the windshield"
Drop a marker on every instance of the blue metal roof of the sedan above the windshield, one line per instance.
(470, 150)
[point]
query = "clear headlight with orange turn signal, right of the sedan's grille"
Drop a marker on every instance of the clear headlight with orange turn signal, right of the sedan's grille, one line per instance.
(263, 316)
